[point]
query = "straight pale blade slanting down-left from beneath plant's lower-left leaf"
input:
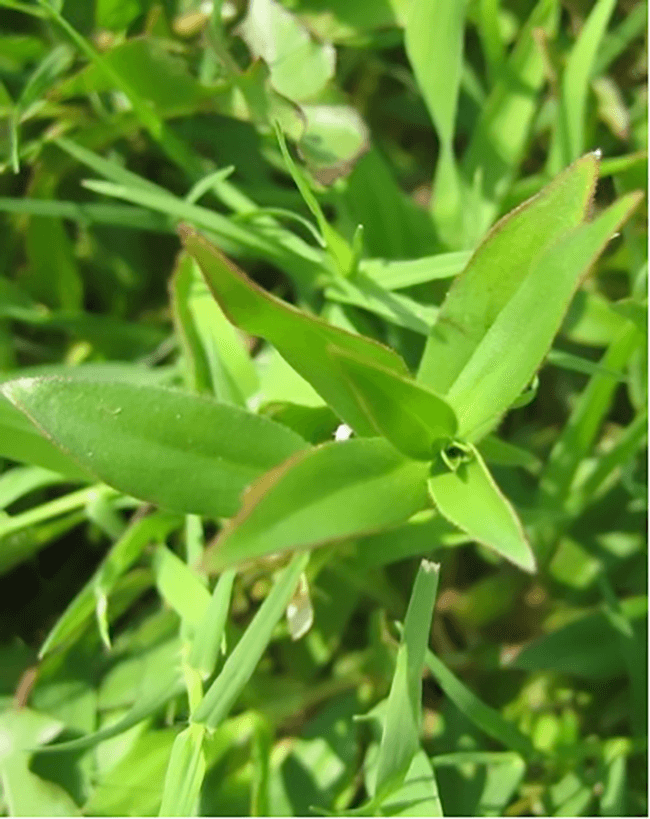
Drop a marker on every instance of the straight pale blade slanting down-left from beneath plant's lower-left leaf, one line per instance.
(238, 668)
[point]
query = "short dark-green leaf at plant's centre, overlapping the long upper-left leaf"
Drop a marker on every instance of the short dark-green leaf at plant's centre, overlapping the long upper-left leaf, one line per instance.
(415, 420)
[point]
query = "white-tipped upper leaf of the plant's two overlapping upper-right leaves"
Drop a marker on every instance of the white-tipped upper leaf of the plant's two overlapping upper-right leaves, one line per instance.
(497, 269)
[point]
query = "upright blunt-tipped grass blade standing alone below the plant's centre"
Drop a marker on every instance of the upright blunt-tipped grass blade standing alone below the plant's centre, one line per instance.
(400, 739)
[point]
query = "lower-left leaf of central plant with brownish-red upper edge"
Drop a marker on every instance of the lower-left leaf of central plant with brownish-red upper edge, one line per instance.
(334, 491)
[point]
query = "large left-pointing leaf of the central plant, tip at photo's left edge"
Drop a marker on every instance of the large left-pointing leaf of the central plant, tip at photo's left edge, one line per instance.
(184, 452)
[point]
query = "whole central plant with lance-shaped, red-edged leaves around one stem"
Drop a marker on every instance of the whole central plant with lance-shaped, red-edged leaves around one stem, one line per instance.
(193, 454)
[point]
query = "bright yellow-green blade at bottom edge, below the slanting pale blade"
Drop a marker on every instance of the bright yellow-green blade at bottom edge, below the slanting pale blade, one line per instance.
(185, 773)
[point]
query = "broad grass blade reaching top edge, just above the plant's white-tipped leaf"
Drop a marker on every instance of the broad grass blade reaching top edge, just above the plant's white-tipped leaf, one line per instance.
(499, 138)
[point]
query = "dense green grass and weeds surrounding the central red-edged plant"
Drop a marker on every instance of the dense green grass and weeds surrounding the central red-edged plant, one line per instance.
(120, 118)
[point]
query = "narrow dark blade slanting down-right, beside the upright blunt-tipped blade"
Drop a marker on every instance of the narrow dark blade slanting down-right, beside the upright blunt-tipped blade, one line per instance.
(486, 718)
